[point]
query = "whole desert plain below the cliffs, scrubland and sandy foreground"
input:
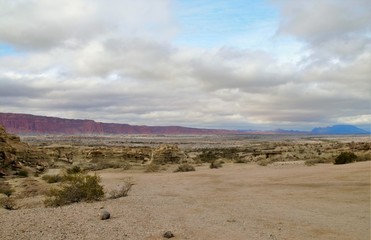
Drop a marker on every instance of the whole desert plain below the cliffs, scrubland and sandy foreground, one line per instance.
(269, 187)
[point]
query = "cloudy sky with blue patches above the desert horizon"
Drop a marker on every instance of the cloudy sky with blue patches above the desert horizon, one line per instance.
(236, 64)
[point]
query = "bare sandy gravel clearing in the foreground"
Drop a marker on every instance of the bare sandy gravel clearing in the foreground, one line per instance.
(238, 201)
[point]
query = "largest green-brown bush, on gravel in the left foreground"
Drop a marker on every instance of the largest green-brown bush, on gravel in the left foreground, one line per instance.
(76, 188)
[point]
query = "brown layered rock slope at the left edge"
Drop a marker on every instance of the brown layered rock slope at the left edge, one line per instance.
(15, 155)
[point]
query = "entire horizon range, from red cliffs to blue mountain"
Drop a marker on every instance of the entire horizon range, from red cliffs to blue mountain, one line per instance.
(24, 124)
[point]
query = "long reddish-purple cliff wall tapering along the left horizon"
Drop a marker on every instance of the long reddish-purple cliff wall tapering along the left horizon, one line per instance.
(31, 124)
